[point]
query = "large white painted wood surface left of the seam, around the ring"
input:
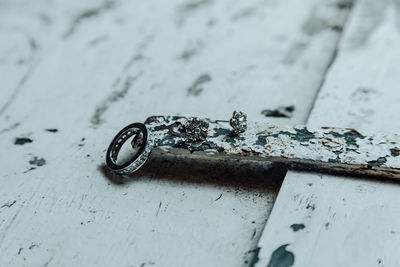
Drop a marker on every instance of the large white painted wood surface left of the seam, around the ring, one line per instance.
(101, 65)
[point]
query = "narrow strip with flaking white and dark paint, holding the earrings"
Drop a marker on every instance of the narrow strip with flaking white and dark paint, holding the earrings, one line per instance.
(334, 150)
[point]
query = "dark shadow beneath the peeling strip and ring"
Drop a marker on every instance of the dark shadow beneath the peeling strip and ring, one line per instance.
(240, 173)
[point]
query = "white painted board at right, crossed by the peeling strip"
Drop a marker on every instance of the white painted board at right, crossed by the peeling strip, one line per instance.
(347, 221)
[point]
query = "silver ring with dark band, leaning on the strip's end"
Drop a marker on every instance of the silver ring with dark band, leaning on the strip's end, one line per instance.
(141, 134)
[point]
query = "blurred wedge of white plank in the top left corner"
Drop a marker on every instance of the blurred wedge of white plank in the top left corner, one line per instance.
(28, 31)
